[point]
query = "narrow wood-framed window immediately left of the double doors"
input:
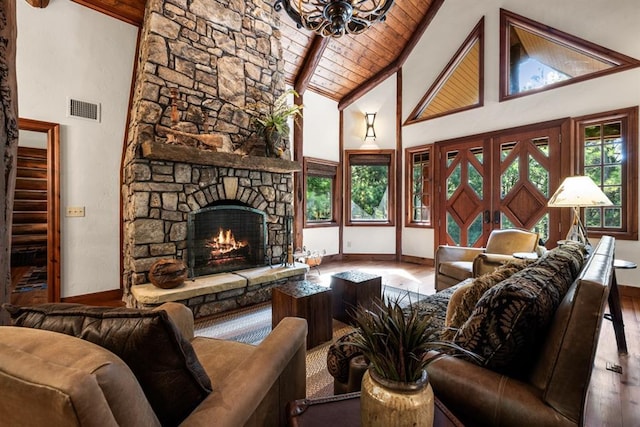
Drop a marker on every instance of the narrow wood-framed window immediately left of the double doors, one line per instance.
(419, 188)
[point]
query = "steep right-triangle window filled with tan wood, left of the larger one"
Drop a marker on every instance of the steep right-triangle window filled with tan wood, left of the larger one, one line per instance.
(460, 85)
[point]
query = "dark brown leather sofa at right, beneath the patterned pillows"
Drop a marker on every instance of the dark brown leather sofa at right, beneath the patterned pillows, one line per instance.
(554, 390)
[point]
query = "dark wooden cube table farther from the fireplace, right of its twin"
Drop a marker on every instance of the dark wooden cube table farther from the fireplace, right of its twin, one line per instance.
(351, 288)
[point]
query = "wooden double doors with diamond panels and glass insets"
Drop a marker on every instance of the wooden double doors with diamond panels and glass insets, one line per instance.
(501, 180)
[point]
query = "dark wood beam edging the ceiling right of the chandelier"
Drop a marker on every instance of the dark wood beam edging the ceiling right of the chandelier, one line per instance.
(386, 72)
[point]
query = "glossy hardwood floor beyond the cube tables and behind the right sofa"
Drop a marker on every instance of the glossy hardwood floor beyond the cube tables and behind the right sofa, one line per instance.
(613, 399)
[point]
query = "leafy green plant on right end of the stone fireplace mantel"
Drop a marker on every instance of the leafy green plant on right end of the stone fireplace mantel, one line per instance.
(273, 126)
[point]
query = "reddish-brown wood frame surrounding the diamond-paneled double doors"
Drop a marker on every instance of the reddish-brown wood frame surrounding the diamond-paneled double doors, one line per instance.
(566, 167)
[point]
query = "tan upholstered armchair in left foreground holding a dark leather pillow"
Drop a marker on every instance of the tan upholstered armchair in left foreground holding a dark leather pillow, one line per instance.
(53, 379)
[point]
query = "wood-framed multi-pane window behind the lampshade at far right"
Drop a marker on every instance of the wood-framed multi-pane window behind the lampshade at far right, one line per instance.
(606, 145)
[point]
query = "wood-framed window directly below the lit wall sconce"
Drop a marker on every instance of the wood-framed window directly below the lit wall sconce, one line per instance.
(370, 178)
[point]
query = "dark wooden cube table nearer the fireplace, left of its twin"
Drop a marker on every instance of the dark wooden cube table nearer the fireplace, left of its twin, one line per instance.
(308, 301)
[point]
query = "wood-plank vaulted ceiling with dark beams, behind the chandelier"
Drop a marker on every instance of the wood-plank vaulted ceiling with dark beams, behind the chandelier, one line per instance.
(339, 68)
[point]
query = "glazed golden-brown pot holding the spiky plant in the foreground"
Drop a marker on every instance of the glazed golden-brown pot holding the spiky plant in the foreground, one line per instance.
(387, 403)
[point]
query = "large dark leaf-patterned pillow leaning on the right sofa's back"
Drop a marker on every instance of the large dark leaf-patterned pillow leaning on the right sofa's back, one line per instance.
(510, 319)
